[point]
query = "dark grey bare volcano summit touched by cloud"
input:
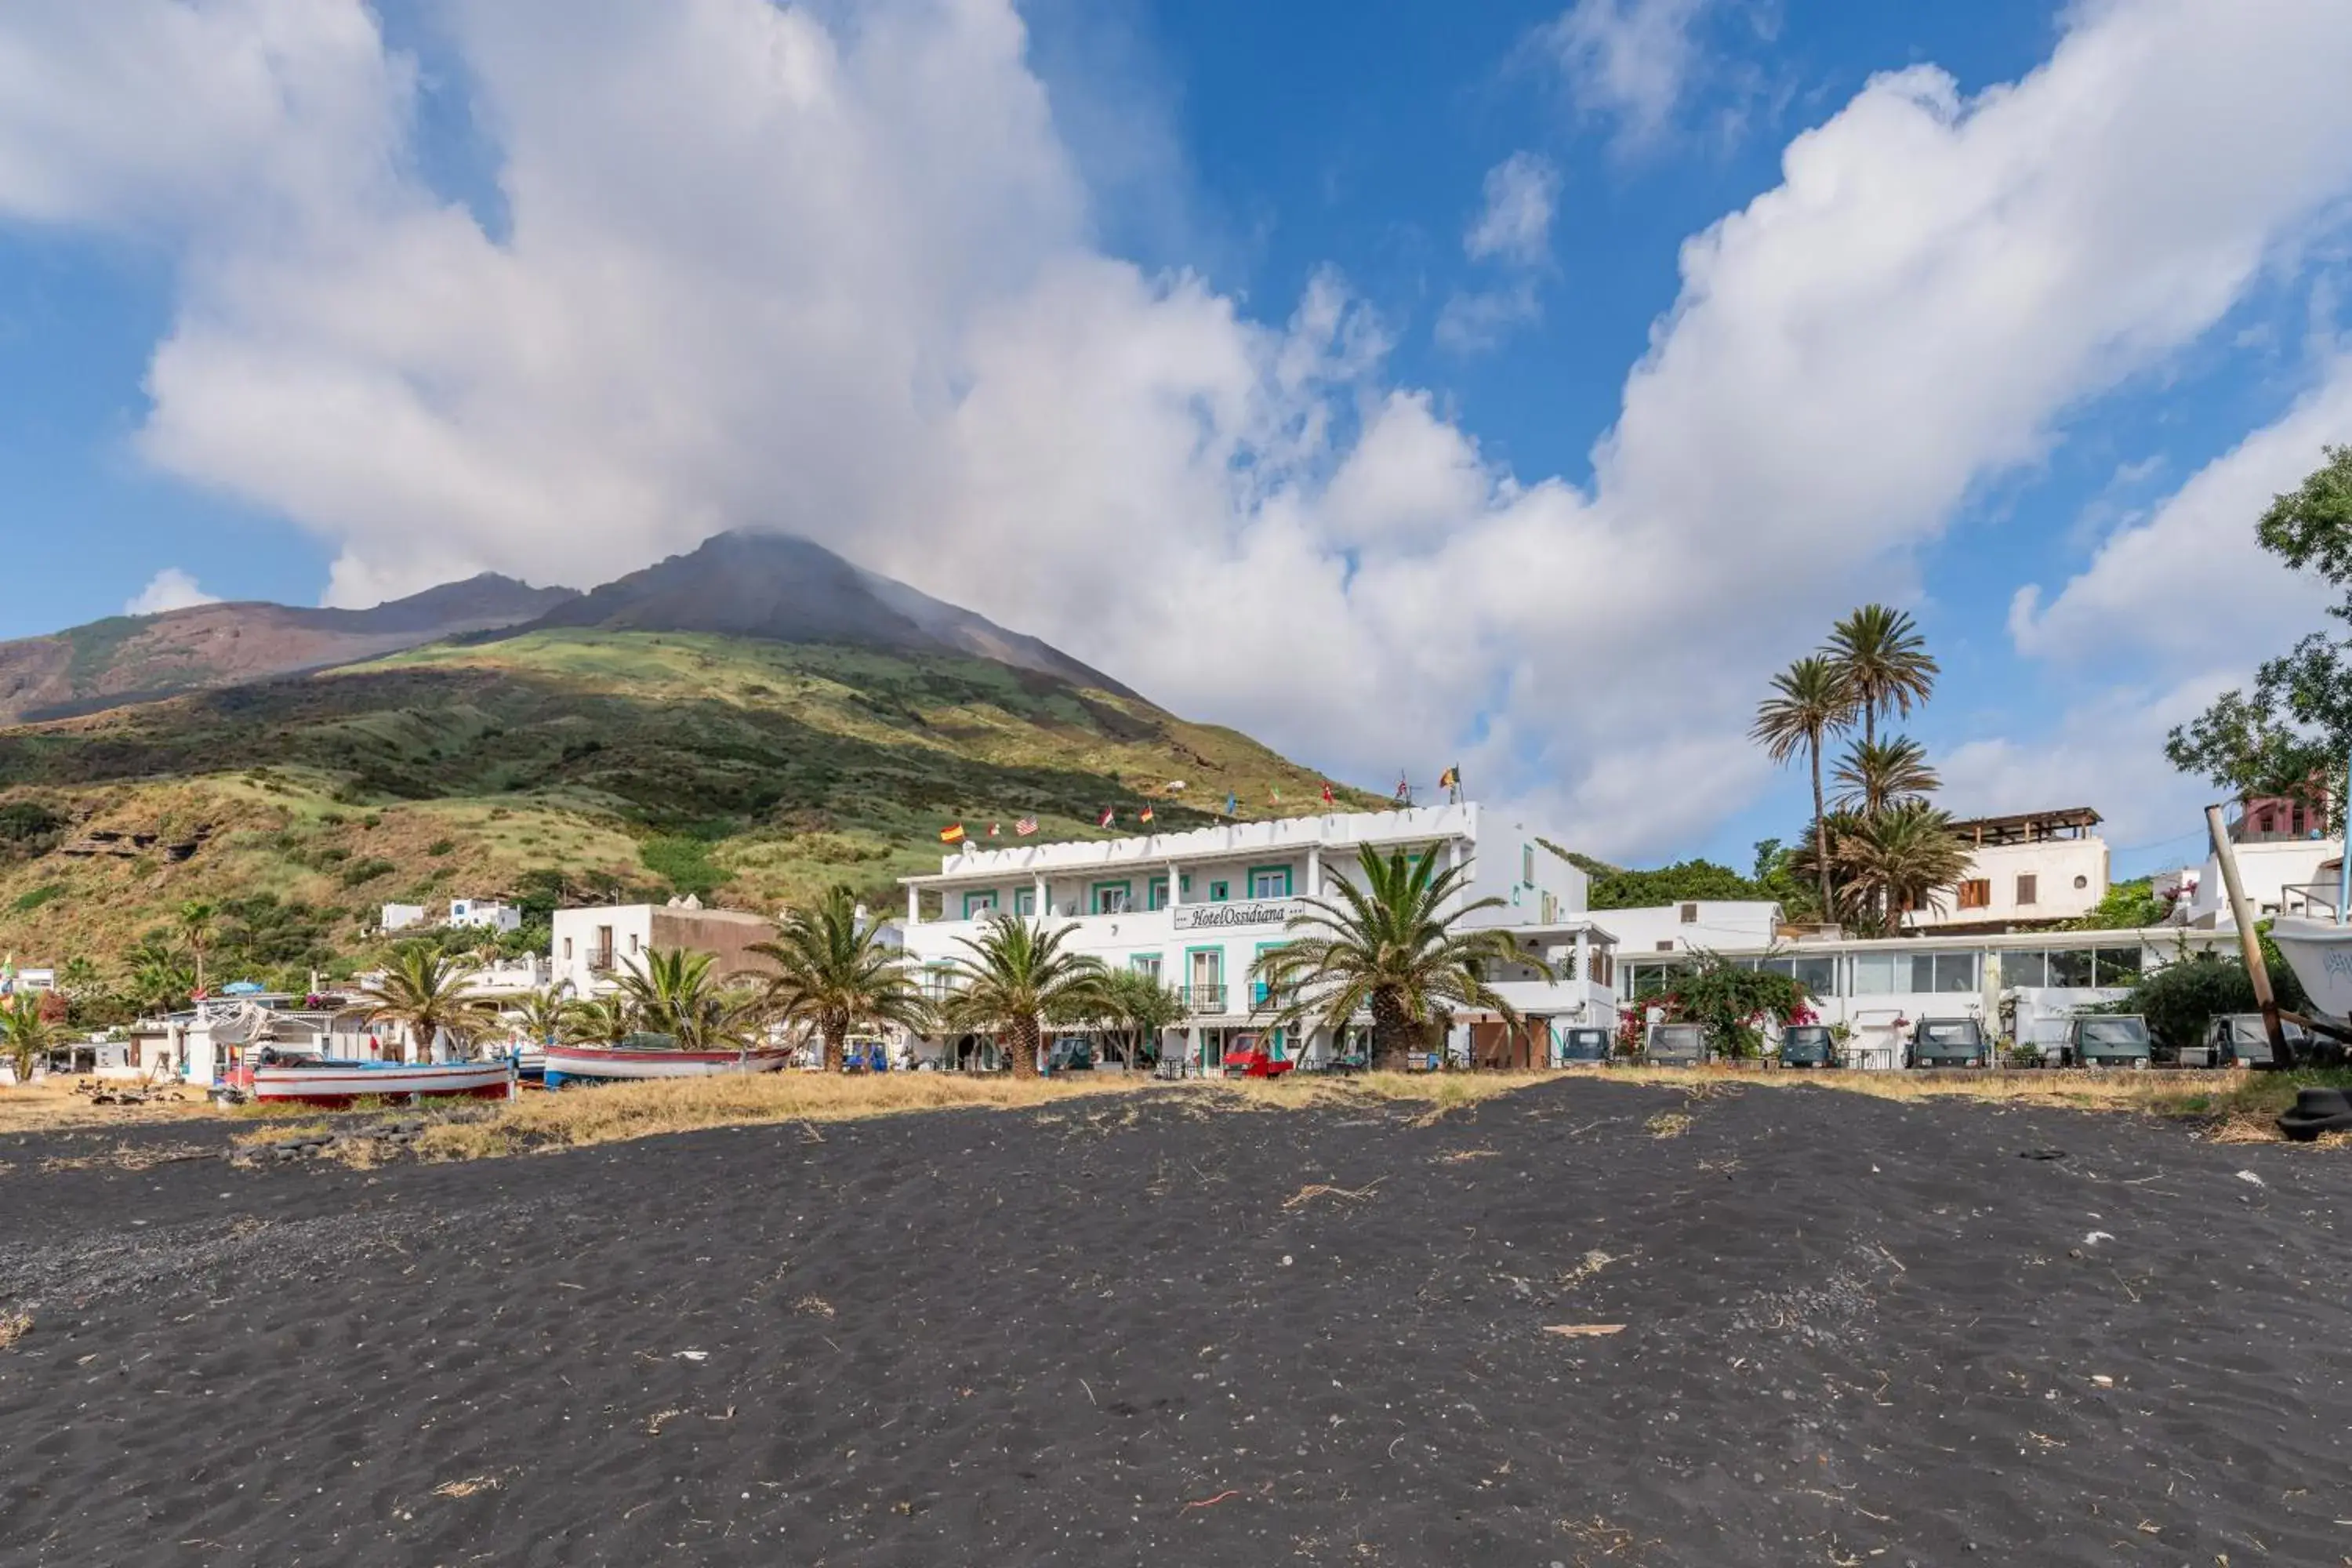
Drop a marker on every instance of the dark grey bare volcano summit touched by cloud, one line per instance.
(784, 589)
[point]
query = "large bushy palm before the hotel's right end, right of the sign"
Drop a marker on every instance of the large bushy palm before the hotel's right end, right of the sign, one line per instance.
(1391, 946)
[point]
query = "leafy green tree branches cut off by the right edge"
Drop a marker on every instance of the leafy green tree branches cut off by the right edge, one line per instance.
(2294, 730)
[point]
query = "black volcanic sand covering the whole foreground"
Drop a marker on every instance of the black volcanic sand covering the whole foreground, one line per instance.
(1857, 1332)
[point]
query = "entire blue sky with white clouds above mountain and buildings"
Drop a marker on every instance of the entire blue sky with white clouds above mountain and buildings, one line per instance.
(1321, 309)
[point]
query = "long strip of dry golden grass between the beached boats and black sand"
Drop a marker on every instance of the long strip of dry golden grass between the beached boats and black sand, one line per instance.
(615, 1113)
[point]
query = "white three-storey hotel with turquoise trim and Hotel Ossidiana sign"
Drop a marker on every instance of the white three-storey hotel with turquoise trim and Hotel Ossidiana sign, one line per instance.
(1198, 909)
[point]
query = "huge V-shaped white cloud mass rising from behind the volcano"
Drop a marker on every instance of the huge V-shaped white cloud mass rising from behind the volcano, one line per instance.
(770, 269)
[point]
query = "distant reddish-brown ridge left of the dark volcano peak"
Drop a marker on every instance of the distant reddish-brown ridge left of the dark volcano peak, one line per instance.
(131, 659)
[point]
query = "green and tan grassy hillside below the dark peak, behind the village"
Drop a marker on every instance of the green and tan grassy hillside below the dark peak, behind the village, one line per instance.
(573, 763)
